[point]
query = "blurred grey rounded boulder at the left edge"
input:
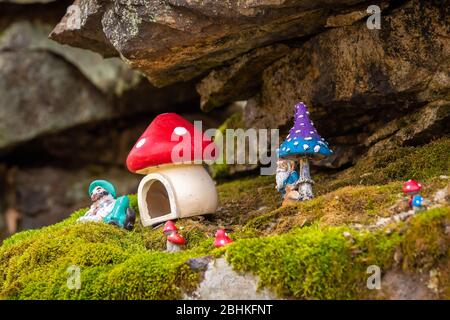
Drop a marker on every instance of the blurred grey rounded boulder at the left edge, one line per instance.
(42, 93)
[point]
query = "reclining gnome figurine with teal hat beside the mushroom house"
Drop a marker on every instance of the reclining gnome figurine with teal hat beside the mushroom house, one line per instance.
(106, 207)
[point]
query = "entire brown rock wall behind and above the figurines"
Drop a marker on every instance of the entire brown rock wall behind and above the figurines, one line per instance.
(72, 106)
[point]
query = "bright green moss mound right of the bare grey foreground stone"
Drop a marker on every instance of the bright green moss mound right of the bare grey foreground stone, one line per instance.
(321, 263)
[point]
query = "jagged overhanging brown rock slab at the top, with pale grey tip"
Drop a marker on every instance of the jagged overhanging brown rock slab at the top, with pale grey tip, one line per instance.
(177, 40)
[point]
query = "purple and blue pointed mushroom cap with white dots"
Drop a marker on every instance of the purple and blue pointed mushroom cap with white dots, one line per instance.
(303, 138)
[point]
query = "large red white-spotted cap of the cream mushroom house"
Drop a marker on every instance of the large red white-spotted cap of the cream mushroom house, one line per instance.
(154, 147)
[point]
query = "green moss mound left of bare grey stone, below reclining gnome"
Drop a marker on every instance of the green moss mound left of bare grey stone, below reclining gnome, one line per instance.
(114, 264)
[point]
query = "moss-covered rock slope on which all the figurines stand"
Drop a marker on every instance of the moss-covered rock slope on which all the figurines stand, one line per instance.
(308, 250)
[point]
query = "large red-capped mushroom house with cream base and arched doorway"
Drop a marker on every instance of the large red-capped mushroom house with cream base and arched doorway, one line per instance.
(173, 188)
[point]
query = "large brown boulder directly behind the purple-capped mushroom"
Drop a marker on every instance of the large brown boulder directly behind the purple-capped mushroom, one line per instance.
(355, 79)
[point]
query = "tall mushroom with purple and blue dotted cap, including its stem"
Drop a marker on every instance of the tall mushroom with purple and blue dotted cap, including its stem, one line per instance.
(302, 143)
